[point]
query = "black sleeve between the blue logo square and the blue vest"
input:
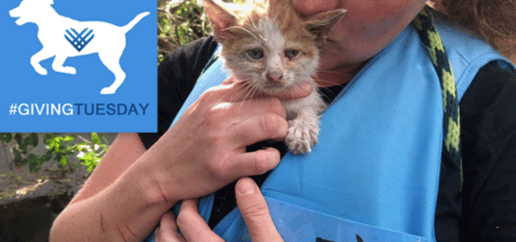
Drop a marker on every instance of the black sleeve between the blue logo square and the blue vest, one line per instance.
(177, 75)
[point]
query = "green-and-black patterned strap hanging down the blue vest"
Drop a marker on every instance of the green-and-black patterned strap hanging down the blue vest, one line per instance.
(451, 123)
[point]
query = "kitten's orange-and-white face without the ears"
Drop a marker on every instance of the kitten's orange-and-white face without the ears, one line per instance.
(269, 60)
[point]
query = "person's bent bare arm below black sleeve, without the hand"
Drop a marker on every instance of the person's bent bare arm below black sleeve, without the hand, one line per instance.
(110, 207)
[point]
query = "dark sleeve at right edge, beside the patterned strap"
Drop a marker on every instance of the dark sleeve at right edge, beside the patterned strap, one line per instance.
(488, 119)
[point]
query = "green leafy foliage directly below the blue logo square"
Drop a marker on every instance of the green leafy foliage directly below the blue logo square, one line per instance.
(58, 148)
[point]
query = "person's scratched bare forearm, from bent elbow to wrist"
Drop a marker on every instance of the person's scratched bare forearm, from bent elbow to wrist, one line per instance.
(127, 210)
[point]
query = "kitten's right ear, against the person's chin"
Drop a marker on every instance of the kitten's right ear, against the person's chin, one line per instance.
(321, 24)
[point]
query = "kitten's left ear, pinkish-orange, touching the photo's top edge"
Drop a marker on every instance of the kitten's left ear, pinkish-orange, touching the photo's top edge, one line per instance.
(220, 18)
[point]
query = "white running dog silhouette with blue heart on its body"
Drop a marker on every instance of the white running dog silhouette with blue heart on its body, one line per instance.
(63, 37)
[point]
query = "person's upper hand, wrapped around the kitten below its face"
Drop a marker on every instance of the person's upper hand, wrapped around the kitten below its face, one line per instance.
(206, 149)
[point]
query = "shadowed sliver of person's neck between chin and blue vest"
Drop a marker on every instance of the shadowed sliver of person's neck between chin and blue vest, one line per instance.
(339, 76)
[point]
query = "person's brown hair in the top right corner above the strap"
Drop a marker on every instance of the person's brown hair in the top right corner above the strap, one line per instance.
(494, 20)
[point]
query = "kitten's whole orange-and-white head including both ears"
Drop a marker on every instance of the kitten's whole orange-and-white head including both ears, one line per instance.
(269, 46)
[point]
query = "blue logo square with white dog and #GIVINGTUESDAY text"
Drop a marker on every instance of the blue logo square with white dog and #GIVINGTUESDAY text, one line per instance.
(75, 66)
